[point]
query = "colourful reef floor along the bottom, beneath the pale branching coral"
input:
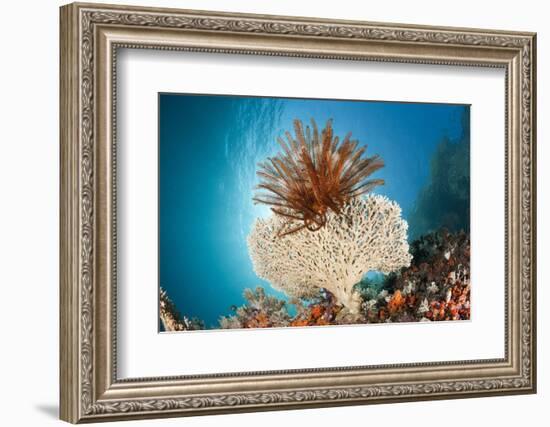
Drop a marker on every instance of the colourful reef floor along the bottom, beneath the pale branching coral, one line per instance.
(435, 287)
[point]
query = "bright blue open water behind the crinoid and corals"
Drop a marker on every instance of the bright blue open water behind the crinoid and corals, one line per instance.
(209, 147)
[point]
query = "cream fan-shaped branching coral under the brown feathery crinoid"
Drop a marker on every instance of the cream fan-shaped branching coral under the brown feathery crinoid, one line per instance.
(368, 235)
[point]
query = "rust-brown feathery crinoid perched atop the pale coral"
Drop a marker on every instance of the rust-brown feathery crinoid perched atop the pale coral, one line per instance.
(314, 173)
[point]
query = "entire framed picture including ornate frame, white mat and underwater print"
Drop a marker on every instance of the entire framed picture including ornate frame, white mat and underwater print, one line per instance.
(266, 212)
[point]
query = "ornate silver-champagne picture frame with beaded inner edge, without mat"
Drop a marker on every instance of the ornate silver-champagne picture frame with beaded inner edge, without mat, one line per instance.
(91, 36)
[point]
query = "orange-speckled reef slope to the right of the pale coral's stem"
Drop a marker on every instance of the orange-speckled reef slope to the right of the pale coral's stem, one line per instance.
(435, 287)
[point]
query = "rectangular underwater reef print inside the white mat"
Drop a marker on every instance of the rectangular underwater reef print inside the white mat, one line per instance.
(292, 212)
